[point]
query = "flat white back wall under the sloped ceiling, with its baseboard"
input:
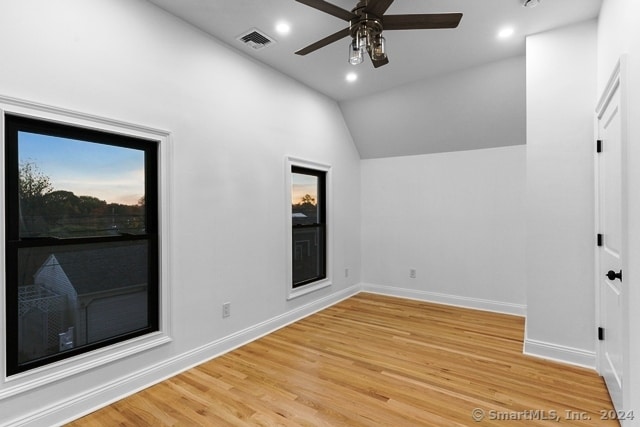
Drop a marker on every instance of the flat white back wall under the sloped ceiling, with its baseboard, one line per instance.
(456, 218)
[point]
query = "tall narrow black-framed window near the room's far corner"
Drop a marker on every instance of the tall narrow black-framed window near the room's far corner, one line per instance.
(308, 212)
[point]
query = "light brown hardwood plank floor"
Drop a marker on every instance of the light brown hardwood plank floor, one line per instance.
(371, 361)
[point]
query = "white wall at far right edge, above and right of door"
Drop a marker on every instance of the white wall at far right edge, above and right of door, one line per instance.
(619, 33)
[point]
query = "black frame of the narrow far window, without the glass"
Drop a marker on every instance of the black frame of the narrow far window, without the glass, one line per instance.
(320, 226)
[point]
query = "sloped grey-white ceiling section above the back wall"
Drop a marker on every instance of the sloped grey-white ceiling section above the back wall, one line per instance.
(479, 107)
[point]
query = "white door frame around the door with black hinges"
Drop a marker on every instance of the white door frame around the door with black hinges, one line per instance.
(617, 82)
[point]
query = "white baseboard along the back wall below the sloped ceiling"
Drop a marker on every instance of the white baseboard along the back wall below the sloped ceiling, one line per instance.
(455, 300)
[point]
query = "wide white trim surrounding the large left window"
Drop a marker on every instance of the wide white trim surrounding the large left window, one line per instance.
(38, 377)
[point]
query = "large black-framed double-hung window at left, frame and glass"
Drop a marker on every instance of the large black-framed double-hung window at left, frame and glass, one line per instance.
(81, 240)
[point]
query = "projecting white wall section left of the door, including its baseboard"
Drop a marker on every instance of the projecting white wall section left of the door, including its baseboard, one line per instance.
(561, 98)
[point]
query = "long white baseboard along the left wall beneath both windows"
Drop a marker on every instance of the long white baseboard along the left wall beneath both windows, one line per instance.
(78, 405)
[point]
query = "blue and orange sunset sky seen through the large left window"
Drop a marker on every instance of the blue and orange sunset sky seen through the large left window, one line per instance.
(110, 173)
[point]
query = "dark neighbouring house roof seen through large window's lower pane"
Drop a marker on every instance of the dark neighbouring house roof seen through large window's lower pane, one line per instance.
(107, 268)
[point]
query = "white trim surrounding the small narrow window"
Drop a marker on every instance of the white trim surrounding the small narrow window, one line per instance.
(293, 293)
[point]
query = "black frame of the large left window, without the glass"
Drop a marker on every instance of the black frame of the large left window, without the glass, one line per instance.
(15, 123)
